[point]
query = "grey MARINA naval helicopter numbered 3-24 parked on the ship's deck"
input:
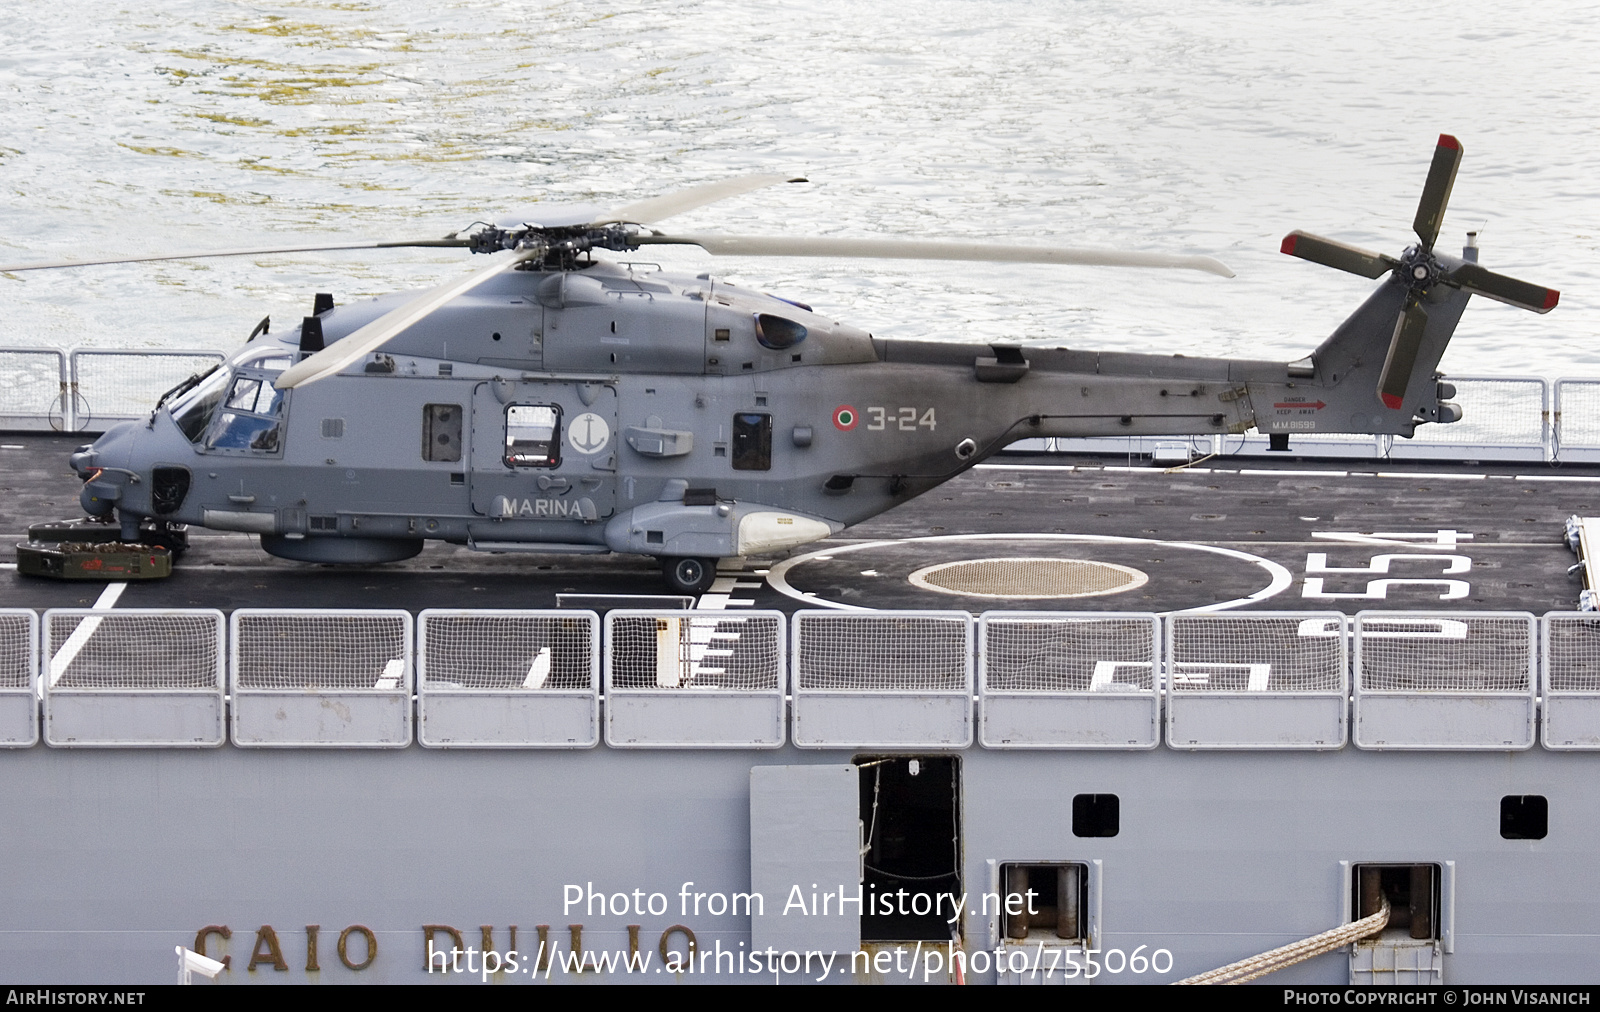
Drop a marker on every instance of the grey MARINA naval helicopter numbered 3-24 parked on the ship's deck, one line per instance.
(562, 403)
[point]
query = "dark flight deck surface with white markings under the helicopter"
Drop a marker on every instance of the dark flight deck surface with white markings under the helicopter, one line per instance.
(1268, 516)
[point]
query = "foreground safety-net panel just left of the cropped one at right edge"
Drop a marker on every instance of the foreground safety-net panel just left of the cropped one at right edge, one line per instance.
(1458, 654)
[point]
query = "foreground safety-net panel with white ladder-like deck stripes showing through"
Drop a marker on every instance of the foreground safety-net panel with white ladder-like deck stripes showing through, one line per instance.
(695, 651)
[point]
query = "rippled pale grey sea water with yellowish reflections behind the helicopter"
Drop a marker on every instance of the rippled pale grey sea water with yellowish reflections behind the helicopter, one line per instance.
(1209, 127)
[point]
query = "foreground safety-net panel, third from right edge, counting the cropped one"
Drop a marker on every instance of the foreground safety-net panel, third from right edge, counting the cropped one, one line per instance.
(1257, 654)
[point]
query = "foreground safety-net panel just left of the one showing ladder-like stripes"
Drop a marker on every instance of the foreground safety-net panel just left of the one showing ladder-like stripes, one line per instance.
(510, 653)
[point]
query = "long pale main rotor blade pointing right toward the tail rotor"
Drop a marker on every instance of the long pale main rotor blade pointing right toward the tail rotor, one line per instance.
(910, 249)
